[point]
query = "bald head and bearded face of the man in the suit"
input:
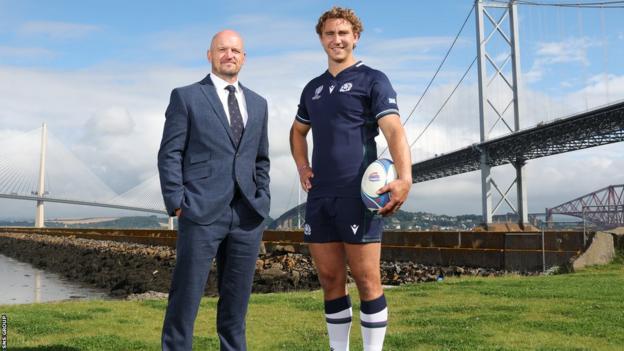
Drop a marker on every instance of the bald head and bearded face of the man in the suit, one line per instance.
(227, 54)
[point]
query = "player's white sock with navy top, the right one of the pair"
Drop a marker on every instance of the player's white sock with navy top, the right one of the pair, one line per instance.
(374, 319)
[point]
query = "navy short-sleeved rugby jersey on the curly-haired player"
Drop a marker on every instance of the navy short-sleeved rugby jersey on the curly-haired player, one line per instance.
(343, 112)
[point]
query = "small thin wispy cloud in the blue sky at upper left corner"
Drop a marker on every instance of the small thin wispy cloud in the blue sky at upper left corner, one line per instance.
(56, 30)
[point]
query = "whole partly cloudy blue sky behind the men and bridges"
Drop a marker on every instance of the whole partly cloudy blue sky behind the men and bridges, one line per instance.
(100, 74)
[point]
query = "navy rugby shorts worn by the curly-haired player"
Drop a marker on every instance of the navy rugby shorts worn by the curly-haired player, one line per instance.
(339, 219)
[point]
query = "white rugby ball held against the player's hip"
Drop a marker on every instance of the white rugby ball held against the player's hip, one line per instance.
(376, 176)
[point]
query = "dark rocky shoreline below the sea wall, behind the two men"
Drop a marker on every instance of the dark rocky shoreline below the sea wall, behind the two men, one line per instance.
(142, 271)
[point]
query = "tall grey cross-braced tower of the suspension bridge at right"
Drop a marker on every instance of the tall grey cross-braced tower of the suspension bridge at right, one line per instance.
(491, 113)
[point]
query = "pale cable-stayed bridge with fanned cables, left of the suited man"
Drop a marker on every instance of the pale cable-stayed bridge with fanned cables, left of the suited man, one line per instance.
(36, 166)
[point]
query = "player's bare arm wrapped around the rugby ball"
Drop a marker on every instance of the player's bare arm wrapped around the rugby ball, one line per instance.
(399, 150)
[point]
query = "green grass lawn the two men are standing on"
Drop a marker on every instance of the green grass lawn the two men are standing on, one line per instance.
(579, 311)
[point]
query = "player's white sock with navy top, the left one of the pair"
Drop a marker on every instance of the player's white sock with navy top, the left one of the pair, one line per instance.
(338, 317)
